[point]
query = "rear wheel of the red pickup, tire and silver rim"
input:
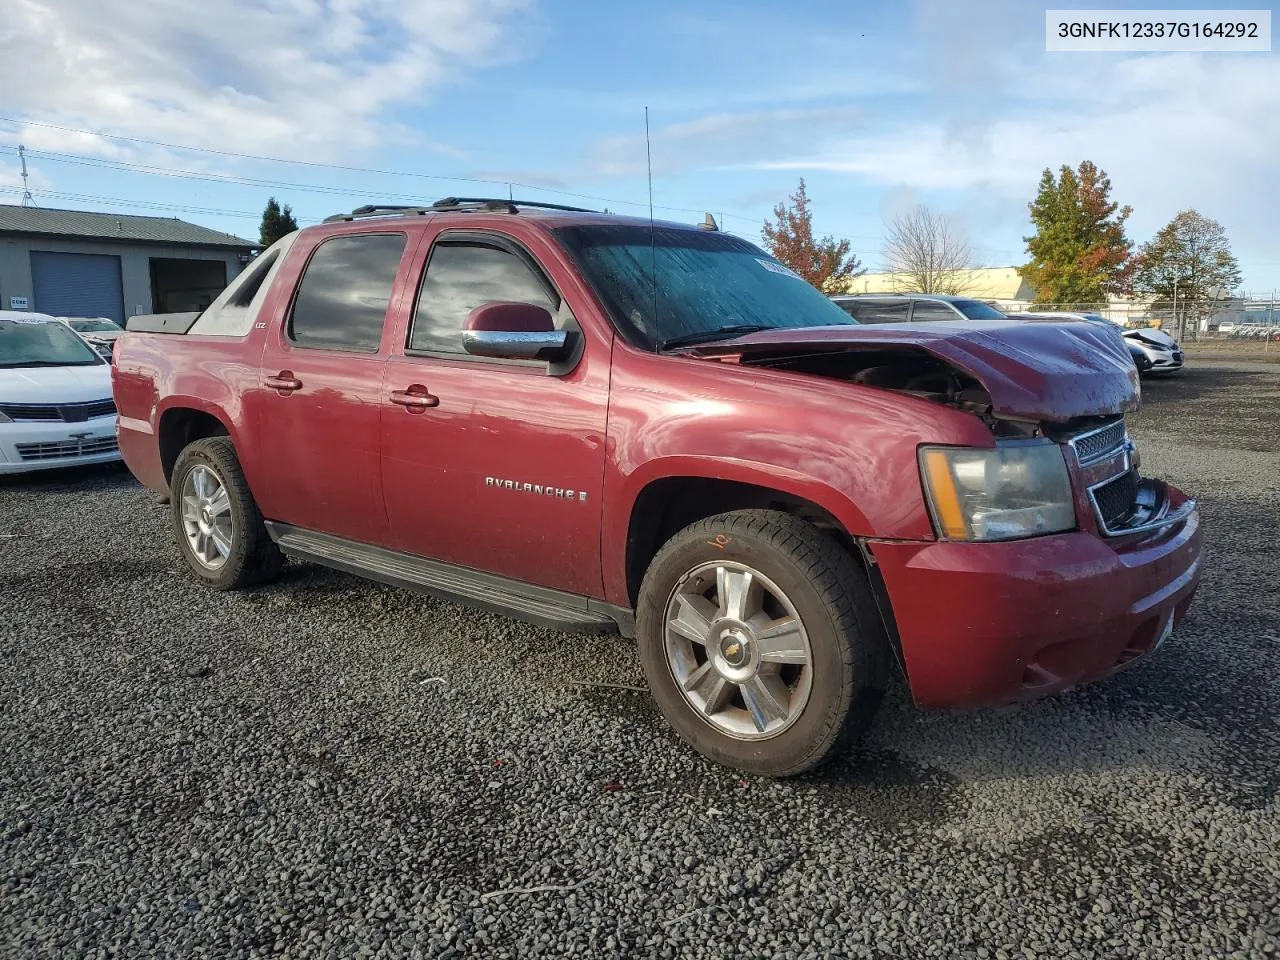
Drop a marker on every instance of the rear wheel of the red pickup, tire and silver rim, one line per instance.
(243, 554)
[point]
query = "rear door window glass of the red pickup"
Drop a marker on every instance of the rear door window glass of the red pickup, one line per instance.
(345, 292)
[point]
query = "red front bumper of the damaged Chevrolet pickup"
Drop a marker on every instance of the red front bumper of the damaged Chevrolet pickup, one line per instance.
(1002, 623)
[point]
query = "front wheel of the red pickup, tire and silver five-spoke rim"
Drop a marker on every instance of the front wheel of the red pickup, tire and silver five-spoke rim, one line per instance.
(840, 637)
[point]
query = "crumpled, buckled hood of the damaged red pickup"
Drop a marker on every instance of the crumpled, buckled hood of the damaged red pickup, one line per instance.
(1035, 372)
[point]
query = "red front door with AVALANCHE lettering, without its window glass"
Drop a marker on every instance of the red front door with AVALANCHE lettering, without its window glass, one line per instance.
(446, 469)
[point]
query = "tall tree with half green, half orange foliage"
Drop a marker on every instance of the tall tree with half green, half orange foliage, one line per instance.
(1080, 253)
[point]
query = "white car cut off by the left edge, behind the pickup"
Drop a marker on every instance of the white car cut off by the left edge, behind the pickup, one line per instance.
(56, 397)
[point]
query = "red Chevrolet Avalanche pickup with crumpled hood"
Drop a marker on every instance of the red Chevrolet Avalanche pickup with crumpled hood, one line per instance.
(605, 424)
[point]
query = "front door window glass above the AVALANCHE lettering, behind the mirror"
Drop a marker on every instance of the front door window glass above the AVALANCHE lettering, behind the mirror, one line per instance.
(463, 276)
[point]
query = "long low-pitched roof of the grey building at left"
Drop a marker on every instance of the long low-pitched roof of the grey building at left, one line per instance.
(31, 221)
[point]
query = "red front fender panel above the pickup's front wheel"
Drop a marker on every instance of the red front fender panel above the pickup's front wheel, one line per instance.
(845, 447)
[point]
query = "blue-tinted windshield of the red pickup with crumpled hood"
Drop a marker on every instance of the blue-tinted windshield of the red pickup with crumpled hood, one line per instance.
(710, 286)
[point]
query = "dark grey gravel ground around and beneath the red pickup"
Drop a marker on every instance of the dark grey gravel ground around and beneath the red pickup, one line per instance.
(332, 769)
